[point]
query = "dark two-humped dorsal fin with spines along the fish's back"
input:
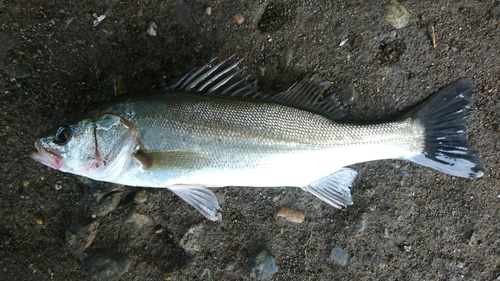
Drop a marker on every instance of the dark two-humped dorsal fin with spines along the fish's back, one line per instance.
(226, 79)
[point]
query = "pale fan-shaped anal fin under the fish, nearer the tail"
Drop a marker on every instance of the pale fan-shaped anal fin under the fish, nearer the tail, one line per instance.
(335, 188)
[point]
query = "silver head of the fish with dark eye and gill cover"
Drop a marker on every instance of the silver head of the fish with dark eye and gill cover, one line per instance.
(98, 147)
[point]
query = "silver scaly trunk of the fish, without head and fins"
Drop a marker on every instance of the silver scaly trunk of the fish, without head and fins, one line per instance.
(213, 141)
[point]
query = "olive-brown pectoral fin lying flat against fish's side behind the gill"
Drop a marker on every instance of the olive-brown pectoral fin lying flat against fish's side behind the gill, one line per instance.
(171, 160)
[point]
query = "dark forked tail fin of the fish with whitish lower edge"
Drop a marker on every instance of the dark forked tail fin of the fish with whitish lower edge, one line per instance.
(444, 117)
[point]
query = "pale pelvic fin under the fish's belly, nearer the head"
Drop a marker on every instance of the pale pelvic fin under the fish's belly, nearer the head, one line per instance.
(202, 199)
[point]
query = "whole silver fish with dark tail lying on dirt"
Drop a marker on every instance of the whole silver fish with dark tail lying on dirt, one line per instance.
(214, 128)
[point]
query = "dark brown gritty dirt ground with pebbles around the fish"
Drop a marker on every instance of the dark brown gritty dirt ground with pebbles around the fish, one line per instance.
(408, 222)
